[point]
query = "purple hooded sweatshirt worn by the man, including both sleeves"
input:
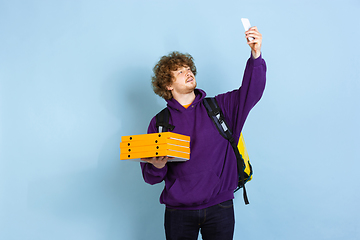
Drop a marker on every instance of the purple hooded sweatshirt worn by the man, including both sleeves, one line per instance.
(210, 176)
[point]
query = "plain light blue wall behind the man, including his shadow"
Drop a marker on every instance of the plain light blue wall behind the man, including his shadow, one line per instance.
(75, 77)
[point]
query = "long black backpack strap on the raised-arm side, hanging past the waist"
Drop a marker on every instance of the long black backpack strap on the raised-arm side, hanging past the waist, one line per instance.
(218, 118)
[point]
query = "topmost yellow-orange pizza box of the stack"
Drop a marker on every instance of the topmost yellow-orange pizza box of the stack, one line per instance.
(155, 136)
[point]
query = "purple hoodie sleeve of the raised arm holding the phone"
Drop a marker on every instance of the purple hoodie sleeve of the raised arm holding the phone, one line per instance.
(237, 104)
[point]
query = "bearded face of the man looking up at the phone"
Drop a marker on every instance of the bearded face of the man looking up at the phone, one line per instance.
(183, 81)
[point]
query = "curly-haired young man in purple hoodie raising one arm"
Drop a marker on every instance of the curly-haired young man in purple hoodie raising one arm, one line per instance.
(198, 193)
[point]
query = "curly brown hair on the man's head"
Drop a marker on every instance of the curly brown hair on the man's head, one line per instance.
(163, 76)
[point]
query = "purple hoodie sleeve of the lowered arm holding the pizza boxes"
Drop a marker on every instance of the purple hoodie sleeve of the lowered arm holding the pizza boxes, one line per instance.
(151, 174)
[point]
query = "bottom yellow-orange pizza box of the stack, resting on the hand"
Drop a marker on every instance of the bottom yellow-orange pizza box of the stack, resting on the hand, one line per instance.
(180, 156)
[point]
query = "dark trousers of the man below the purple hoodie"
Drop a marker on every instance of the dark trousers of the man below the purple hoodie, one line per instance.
(216, 222)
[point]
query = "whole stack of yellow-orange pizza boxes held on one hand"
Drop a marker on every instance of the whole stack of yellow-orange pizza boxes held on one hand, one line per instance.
(135, 147)
